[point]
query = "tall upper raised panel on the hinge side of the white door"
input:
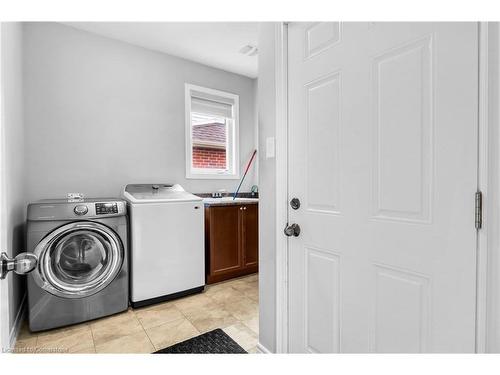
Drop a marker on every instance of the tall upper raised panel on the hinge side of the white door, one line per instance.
(402, 191)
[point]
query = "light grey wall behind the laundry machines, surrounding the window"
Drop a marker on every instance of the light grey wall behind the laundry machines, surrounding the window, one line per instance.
(100, 114)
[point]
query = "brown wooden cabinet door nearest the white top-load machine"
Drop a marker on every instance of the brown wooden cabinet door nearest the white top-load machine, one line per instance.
(225, 254)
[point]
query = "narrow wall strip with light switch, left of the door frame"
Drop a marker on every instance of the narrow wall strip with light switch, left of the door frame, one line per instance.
(267, 186)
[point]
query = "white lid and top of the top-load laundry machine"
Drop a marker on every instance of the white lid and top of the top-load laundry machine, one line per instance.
(149, 193)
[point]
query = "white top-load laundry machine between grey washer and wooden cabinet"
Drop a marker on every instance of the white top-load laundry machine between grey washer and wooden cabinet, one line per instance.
(167, 248)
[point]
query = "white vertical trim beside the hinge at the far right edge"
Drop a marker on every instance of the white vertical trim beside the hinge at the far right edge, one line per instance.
(488, 249)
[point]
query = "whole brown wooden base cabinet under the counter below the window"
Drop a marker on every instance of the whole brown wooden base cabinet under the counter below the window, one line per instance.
(231, 241)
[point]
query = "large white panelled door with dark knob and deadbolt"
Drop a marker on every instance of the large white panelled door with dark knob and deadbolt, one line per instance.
(383, 157)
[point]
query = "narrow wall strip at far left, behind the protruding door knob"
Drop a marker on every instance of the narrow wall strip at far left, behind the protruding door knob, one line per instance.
(13, 207)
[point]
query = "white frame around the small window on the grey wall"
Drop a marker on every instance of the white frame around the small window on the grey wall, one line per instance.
(233, 149)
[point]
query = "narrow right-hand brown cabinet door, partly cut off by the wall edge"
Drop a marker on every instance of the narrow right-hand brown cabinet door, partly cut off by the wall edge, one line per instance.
(250, 235)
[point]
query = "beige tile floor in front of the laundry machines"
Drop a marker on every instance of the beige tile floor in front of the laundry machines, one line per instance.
(231, 305)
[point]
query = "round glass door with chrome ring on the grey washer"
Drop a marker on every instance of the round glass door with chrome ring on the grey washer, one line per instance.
(78, 259)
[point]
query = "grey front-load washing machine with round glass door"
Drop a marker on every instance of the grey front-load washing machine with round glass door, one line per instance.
(81, 254)
